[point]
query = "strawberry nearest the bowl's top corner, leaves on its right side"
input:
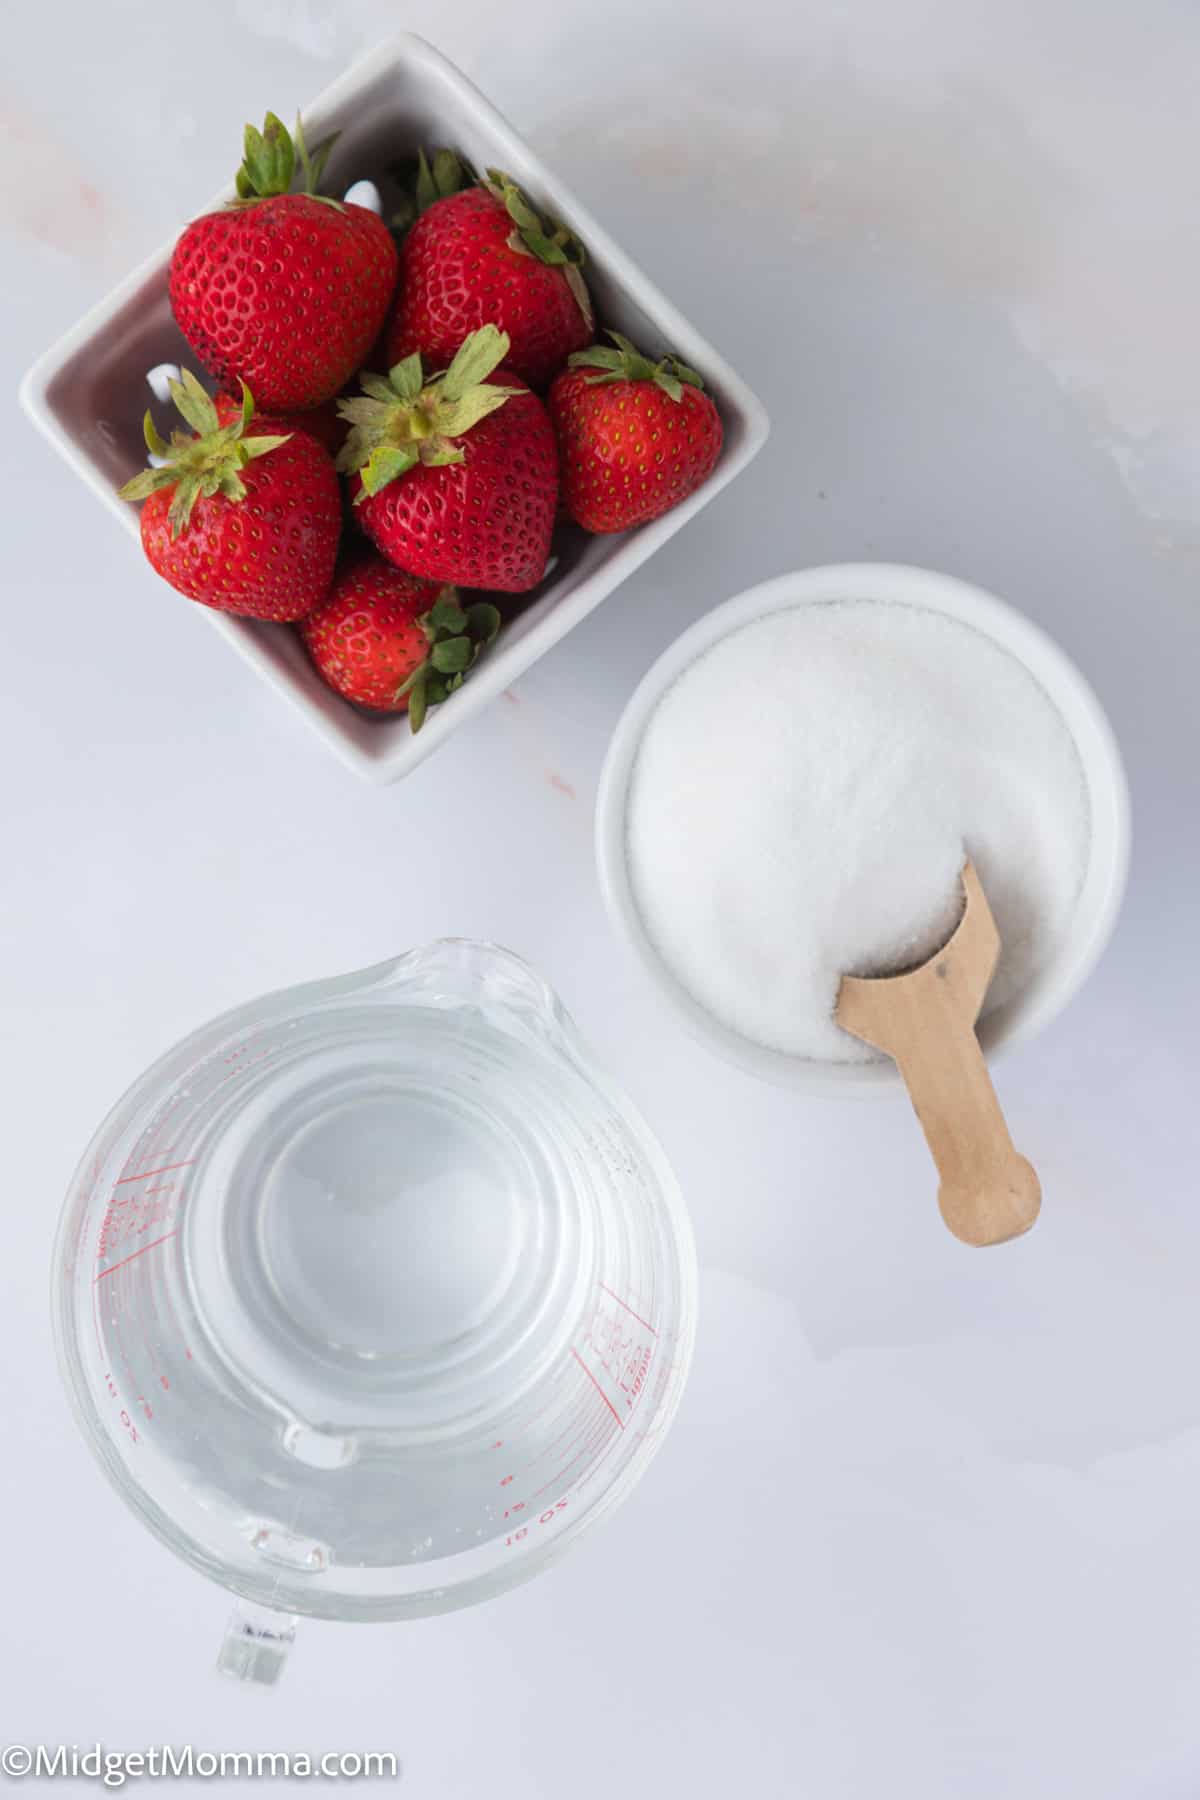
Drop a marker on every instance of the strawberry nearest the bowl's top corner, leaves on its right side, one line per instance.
(483, 256)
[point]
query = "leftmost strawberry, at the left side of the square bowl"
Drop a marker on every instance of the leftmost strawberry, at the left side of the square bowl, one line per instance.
(244, 521)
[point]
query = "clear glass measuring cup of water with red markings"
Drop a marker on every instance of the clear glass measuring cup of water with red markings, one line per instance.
(375, 1295)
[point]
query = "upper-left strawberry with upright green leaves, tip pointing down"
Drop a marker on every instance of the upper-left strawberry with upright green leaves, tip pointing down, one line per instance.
(285, 292)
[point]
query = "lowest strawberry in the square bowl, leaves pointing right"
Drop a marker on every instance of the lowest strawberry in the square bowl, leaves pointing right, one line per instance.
(390, 642)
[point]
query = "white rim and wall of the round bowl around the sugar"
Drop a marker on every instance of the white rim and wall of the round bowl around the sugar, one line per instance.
(1109, 854)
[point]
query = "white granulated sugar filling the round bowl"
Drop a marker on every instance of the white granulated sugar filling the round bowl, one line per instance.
(805, 798)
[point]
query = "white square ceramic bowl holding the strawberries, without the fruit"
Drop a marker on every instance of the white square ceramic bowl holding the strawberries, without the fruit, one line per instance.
(89, 391)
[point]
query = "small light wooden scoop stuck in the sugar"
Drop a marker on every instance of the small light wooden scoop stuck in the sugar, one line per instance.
(926, 1021)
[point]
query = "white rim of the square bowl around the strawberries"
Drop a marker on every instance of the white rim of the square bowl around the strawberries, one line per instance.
(390, 751)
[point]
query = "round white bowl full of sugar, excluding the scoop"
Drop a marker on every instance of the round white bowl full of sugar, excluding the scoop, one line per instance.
(798, 782)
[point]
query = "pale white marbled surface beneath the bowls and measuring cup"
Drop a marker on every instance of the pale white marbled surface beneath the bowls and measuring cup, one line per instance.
(927, 1524)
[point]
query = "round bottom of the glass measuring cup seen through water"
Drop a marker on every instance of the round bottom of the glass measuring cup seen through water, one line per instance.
(395, 1230)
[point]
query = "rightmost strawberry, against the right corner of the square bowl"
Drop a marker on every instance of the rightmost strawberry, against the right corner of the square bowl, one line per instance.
(636, 436)
